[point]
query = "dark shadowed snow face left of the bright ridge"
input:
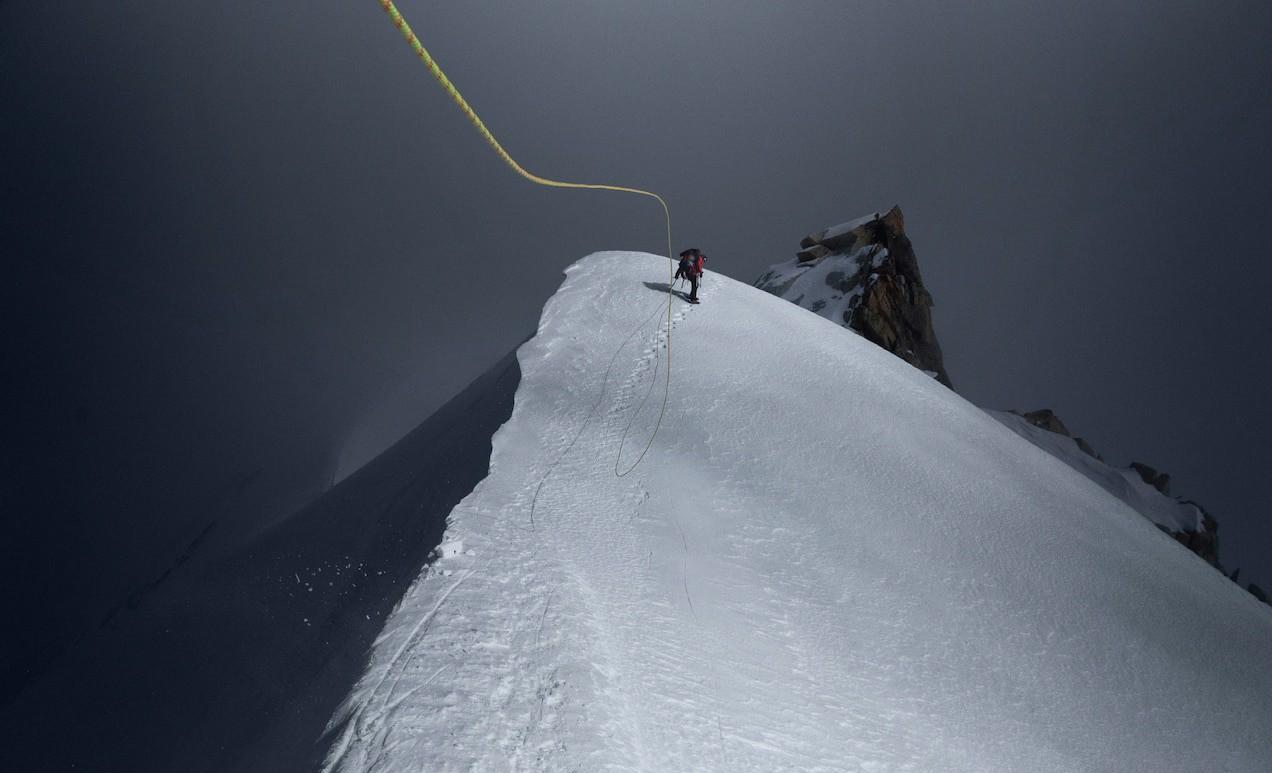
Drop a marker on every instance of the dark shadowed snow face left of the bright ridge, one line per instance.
(237, 664)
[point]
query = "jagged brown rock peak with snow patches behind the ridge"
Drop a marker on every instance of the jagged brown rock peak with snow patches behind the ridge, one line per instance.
(864, 275)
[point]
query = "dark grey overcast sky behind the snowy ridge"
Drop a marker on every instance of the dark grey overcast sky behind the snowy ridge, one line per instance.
(246, 241)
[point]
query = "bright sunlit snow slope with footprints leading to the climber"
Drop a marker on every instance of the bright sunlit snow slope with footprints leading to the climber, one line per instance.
(874, 577)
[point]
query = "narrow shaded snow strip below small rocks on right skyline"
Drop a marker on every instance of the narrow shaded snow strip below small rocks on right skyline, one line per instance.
(1124, 484)
